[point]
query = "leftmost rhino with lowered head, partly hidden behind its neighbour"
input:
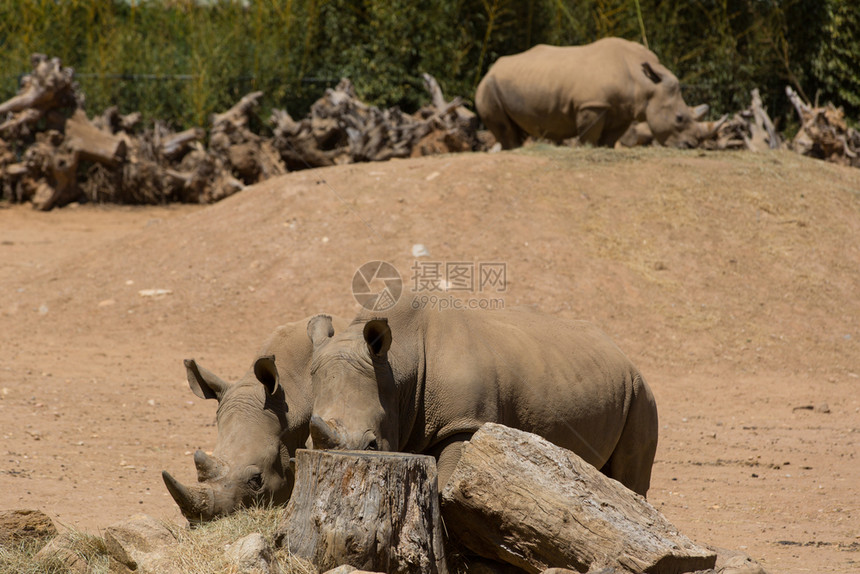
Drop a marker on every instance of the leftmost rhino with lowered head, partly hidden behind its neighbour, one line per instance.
(262, 419)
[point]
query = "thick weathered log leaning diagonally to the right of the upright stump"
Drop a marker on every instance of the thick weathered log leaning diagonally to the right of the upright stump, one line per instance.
(518, 498)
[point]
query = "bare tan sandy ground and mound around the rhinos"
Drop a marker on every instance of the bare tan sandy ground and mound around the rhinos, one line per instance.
(731, 280)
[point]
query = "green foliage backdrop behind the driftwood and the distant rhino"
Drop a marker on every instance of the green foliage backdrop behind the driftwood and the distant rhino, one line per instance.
(182, 60)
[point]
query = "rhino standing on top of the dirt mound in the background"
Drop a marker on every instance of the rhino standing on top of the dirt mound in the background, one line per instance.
(593, 92)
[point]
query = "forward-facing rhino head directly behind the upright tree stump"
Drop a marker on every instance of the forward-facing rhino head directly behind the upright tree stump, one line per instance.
(355, 399)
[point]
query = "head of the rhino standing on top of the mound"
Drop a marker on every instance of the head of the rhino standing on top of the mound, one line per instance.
(671, 121)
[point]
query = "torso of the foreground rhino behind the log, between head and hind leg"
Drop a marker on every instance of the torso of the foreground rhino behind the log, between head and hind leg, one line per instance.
(564, 380)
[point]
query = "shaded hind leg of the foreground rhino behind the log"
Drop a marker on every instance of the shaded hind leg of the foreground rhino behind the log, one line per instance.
(633, 457)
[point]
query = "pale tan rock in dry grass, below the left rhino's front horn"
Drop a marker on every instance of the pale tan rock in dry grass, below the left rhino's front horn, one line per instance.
(139, 543)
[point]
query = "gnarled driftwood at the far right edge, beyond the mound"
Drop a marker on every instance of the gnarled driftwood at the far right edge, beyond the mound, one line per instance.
(824, 134)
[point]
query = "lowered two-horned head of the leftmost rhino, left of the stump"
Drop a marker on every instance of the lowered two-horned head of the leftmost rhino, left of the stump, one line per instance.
(251, 461)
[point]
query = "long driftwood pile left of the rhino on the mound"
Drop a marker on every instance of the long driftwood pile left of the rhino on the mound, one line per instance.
(52, 154)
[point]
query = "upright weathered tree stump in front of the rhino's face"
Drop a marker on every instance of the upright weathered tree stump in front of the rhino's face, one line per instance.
(372, 510)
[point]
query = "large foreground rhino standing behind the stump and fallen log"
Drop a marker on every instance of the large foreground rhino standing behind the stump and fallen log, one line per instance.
(423, 381)
